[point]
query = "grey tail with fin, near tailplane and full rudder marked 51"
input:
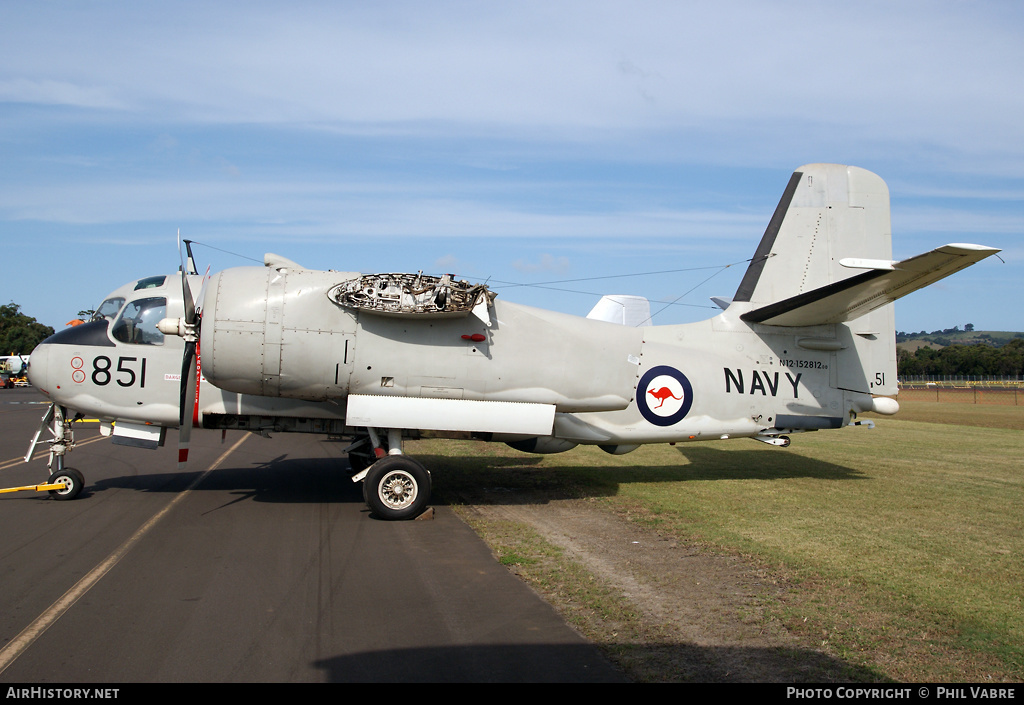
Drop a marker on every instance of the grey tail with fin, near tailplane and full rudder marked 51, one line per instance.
(827, 259)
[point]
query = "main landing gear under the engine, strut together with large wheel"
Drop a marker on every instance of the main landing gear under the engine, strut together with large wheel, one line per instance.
(395, 486)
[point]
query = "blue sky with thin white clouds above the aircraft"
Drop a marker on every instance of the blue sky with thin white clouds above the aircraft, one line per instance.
(519, 143)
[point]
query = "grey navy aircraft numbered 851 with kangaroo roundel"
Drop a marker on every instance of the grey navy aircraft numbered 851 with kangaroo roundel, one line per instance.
(806, 344)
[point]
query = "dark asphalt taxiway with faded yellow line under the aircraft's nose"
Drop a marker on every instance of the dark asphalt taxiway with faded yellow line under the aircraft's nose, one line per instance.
(260, 564)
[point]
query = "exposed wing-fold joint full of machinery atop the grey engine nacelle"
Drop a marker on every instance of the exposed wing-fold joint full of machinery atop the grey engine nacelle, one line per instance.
(403, 295)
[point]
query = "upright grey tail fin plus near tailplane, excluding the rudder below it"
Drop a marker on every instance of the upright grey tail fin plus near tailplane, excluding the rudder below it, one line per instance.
(827, 256)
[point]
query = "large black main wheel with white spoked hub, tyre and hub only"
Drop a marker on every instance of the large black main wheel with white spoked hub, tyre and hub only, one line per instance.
(397, 487)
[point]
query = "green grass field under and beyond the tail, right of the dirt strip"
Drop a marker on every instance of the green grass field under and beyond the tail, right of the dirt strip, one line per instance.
(904, 545)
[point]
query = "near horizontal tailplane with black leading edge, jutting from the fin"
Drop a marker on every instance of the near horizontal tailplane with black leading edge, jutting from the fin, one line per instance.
(883, 283)
